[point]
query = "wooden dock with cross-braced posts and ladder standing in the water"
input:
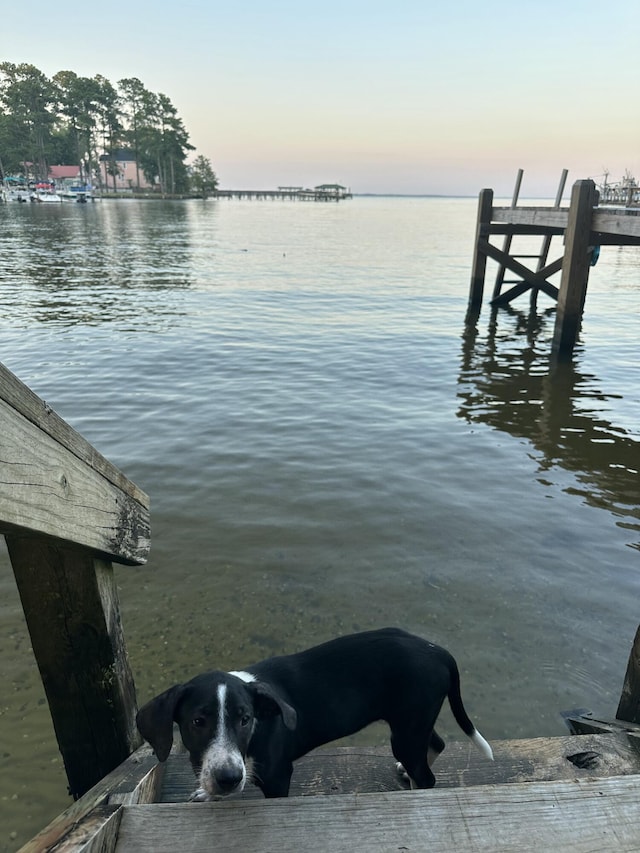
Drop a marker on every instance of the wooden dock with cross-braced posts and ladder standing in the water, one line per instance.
(584, 227)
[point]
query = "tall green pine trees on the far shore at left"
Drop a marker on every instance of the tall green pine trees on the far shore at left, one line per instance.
(84, 121)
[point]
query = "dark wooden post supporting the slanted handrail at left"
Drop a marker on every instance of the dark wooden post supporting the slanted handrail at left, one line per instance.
(70, 604)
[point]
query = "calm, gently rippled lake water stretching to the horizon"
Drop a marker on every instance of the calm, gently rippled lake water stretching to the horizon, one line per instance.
(326, 450)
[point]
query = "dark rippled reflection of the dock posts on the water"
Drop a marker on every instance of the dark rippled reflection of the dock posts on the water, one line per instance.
(506, 382)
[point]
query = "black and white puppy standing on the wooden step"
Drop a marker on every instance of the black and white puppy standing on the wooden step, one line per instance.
(277, 710)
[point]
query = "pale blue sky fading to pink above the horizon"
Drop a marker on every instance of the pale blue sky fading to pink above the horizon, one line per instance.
(402, 97)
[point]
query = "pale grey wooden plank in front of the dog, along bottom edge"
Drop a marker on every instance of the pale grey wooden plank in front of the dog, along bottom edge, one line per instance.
(579, 817)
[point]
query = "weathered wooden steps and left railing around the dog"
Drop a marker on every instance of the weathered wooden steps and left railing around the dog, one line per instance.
(67, 514)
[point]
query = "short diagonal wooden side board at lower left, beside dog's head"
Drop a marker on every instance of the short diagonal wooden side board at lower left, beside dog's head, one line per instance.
(136, 777)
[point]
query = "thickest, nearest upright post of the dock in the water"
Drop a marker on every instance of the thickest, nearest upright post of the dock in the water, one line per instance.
(575, 269)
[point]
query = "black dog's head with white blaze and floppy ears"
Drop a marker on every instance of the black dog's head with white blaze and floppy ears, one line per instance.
(217, 714)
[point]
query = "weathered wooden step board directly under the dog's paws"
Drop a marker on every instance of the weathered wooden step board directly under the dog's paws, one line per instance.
(342, 770)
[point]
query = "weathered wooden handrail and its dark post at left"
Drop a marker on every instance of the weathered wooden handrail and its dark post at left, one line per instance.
(67, 514)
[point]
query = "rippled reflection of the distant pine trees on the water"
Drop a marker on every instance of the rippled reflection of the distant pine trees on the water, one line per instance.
(86, 264)
